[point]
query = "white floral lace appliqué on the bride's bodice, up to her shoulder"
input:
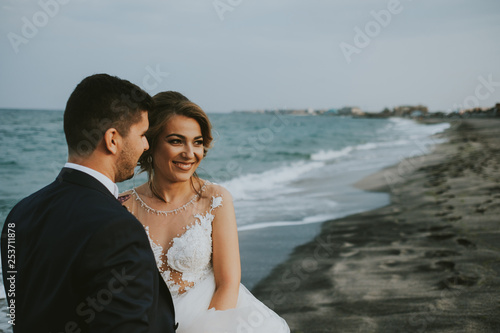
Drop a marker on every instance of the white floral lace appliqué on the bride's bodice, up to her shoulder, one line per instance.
(189, 254)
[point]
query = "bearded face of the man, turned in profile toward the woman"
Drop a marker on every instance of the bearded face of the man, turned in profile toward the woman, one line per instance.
(134, 144)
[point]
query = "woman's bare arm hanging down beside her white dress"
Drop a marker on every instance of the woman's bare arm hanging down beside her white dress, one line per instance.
(226, 256)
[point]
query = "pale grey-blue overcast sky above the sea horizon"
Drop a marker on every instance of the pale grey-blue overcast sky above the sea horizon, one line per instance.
(253, 54)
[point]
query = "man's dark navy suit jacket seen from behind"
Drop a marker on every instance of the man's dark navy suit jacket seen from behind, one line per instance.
(81, 263)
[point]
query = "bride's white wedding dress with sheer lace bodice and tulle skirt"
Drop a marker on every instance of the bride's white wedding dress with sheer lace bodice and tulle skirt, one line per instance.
(186, 267)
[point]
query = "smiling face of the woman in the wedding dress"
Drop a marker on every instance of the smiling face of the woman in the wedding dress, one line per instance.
(179, 150)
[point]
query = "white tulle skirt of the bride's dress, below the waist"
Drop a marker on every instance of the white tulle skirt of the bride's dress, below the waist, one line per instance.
(249, 316)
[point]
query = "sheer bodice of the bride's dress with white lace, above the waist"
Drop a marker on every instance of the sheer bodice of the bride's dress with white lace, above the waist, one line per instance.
(188, 257)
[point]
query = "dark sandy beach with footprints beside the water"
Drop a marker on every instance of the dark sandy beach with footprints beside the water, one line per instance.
(427, 262)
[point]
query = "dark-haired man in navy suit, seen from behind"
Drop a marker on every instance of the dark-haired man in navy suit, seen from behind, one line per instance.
(73, 259)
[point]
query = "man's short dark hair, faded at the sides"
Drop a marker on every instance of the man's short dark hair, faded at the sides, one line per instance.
(98, 103)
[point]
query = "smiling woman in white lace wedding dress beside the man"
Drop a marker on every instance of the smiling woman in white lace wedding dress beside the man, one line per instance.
(192, 226)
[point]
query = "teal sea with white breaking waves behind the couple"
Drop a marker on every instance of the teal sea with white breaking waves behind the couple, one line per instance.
(287, 174)
